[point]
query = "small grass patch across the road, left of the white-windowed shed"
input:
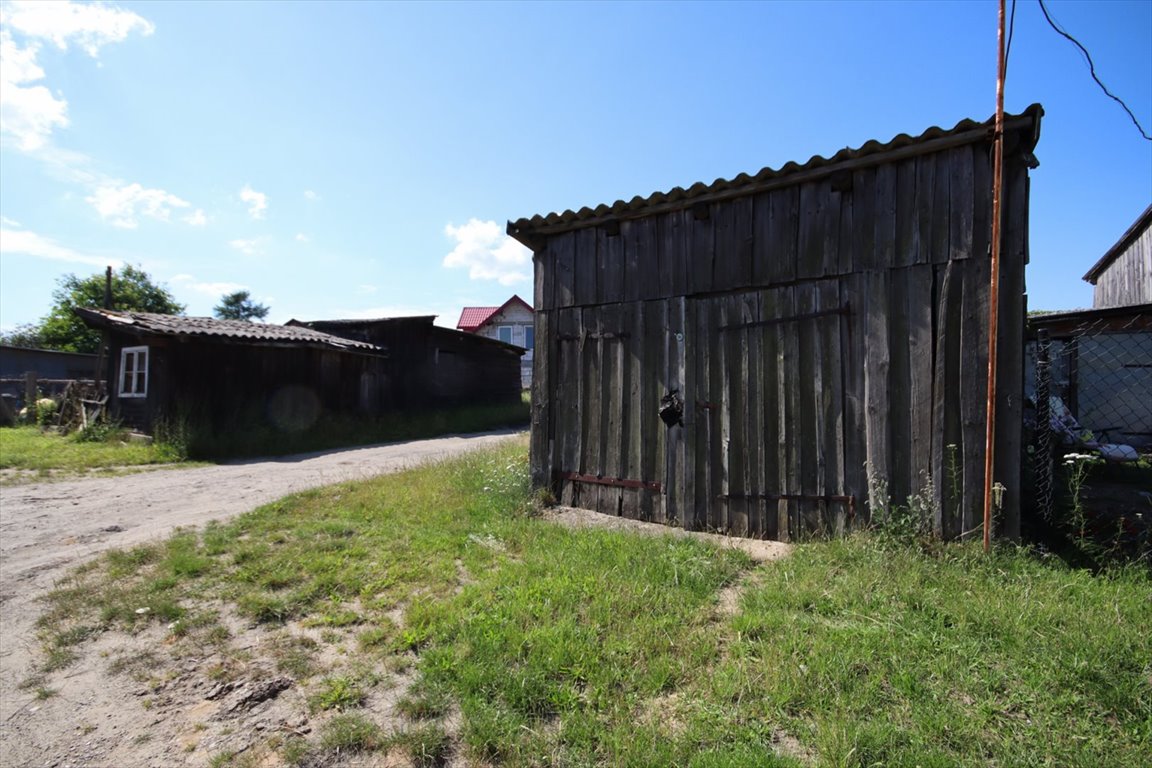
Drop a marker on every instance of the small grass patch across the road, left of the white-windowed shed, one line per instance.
(48, 453)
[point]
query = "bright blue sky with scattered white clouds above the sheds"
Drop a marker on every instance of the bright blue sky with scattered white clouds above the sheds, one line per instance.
(361, 159)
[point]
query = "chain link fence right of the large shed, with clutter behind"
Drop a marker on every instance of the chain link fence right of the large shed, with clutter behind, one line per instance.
(1089, 389)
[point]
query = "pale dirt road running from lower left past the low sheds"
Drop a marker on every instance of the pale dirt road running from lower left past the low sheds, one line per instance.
(50, 528)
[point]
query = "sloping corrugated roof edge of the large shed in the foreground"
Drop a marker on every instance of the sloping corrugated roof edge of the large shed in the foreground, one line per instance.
(529, 231)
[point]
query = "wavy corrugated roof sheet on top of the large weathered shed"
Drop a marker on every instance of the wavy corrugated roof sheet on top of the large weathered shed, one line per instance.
(638, 206)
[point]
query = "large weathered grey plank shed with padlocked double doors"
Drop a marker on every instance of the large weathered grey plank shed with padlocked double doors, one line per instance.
(775, 355)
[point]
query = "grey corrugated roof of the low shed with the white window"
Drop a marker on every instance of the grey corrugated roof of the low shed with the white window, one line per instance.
(211, 329)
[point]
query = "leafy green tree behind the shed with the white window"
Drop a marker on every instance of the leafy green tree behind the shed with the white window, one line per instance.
(133, 291)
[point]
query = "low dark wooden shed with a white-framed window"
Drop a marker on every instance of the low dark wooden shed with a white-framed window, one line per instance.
(226, 372)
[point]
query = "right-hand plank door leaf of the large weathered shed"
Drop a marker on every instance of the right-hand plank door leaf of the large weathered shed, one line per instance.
(769, 440)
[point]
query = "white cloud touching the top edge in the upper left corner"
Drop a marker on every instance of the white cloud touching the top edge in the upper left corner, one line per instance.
(90, 26)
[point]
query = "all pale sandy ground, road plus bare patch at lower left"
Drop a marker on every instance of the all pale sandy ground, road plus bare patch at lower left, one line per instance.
(96, 714)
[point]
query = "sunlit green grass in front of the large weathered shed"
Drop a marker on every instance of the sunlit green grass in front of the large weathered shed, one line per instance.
(596, 648)
